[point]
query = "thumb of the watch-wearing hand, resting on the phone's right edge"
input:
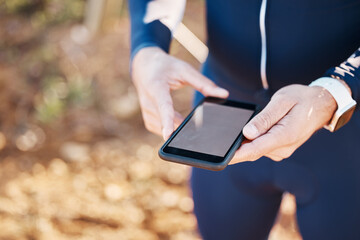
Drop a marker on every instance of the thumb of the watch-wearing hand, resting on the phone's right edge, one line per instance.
(276, 109)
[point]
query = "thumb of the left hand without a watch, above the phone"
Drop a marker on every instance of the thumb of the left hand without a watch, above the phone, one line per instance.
(201, 83)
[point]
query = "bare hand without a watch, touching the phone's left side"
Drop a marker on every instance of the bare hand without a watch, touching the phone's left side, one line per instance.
(155, 73)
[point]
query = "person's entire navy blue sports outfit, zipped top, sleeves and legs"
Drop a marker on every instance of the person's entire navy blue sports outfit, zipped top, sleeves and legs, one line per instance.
(306, 39)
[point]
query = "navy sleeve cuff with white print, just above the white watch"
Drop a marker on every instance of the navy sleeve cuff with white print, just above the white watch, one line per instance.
(349, 71)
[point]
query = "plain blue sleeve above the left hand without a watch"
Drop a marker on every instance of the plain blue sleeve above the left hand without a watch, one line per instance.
(145, 35)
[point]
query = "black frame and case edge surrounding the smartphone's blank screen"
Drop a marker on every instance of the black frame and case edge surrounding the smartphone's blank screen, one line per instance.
(204, 160)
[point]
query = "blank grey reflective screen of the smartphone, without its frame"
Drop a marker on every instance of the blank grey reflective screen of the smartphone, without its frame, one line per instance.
(212, 129)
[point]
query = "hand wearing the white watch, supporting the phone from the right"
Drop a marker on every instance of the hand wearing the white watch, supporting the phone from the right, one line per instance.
(291, 117)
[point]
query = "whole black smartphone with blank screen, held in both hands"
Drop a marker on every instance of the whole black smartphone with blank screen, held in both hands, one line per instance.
(210, 134)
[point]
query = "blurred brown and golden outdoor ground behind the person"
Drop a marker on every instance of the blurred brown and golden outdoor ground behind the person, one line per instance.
(75, 159)
